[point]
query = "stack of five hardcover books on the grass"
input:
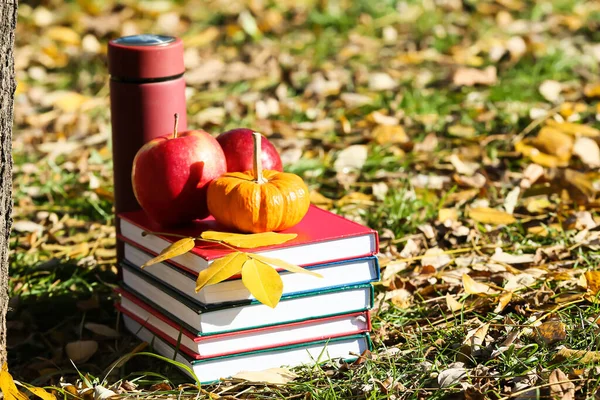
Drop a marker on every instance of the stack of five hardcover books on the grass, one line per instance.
(222, 329)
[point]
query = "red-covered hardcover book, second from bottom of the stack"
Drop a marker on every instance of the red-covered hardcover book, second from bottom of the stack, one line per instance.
(201, 347)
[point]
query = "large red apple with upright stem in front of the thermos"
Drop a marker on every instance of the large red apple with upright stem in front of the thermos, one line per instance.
(171, 174)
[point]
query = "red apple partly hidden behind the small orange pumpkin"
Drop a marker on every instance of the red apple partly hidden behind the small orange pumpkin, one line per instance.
(238, 147)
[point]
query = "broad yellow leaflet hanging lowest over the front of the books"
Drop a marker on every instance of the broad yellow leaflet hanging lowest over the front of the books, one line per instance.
(262, 281)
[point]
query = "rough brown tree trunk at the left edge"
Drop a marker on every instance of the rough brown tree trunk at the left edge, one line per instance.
(8, 23)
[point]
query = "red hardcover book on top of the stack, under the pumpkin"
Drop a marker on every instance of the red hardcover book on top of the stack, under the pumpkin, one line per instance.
(322, 237)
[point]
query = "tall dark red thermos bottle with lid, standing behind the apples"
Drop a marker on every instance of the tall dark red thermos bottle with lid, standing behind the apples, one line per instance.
(146, 90)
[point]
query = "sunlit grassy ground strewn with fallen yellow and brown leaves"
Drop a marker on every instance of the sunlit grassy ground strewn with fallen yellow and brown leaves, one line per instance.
(416, 118)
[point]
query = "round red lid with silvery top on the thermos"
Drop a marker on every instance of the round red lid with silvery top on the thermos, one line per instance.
(145, 57)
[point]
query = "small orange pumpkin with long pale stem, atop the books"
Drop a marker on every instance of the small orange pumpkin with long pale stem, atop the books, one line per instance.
(258, 201)
